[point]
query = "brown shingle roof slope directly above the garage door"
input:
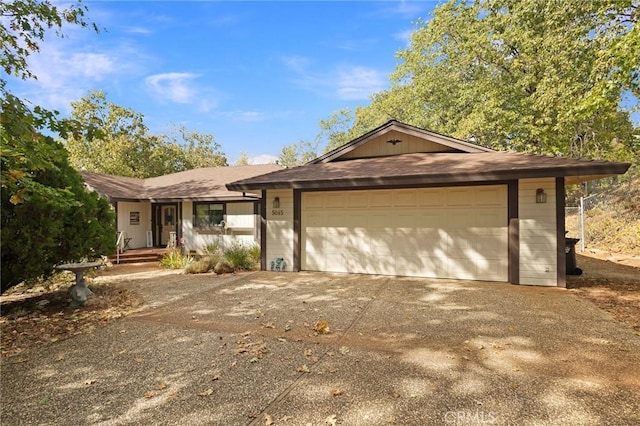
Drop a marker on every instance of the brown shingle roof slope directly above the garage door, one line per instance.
(430, 169)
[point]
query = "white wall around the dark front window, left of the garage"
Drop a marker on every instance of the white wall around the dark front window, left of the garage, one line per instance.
(240, 227)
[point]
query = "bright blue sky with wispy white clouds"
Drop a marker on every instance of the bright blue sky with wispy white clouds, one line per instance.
(257, 75)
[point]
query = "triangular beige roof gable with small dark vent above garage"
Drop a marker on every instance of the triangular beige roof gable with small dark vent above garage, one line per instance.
(395, 138)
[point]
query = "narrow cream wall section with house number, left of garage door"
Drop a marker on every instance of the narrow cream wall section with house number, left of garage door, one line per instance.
(280, 227)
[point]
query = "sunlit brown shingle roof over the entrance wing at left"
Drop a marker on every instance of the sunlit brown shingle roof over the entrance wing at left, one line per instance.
(198, 184)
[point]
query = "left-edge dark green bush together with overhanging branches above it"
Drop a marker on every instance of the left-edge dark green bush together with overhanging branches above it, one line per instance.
(46, 217)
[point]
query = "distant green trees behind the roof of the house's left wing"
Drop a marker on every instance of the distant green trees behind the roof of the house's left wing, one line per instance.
(116, 141)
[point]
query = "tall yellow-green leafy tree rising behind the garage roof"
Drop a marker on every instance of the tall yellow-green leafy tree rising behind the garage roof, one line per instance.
(539, 76)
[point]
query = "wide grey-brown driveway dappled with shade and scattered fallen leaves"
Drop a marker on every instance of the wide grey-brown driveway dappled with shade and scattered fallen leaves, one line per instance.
(324, 349)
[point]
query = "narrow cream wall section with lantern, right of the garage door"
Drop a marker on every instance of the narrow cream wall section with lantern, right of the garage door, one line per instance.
(538, 233)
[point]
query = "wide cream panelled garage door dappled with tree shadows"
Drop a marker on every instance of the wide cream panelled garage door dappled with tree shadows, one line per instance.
(457, 232)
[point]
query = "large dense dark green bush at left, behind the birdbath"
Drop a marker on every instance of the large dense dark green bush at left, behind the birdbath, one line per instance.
(47, 217)
